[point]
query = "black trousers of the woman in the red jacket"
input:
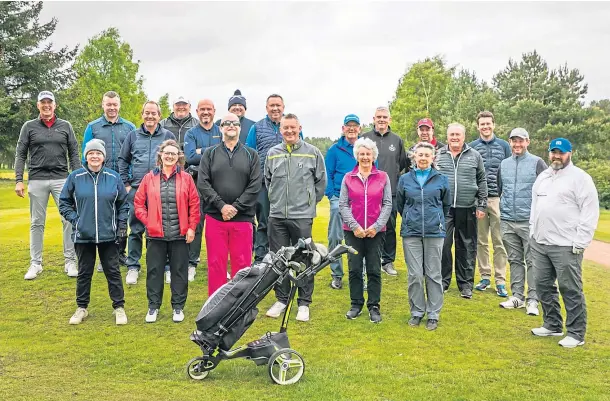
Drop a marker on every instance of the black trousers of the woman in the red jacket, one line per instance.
(157, 253)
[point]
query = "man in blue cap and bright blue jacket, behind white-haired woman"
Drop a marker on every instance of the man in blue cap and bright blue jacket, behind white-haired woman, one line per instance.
(339, 161)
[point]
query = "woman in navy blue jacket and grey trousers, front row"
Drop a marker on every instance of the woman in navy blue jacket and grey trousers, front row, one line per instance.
(423, 199)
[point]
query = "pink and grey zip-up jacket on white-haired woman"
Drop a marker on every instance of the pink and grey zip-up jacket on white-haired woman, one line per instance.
(365, 203)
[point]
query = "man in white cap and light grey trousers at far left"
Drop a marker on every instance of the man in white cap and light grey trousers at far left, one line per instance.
(53, 150)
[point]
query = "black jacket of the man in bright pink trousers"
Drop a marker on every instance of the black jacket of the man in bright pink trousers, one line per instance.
(230, 178)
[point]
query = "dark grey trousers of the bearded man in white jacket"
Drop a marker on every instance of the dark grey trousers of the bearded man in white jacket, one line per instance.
(559, 263)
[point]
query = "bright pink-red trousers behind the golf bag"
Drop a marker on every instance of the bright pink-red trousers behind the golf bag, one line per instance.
(224, 239)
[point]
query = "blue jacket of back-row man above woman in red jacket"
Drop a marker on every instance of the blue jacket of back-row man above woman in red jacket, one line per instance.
(139, 153)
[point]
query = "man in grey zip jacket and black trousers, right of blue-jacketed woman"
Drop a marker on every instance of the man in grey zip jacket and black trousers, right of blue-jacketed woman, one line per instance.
(464, 168)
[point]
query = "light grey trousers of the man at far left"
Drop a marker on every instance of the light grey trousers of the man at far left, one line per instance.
(38, 192)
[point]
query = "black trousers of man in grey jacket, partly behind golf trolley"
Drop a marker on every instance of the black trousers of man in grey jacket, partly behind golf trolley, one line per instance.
(286, 232)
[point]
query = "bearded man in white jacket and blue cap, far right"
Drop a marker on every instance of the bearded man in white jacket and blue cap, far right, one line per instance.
(565, 211)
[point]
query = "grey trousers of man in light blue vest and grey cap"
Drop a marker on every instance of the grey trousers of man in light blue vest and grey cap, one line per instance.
(515, 235)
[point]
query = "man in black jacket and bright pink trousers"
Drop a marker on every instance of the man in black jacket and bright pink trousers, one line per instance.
(229, 181)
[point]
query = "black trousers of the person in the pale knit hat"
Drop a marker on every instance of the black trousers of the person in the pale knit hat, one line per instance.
(109, 257)
